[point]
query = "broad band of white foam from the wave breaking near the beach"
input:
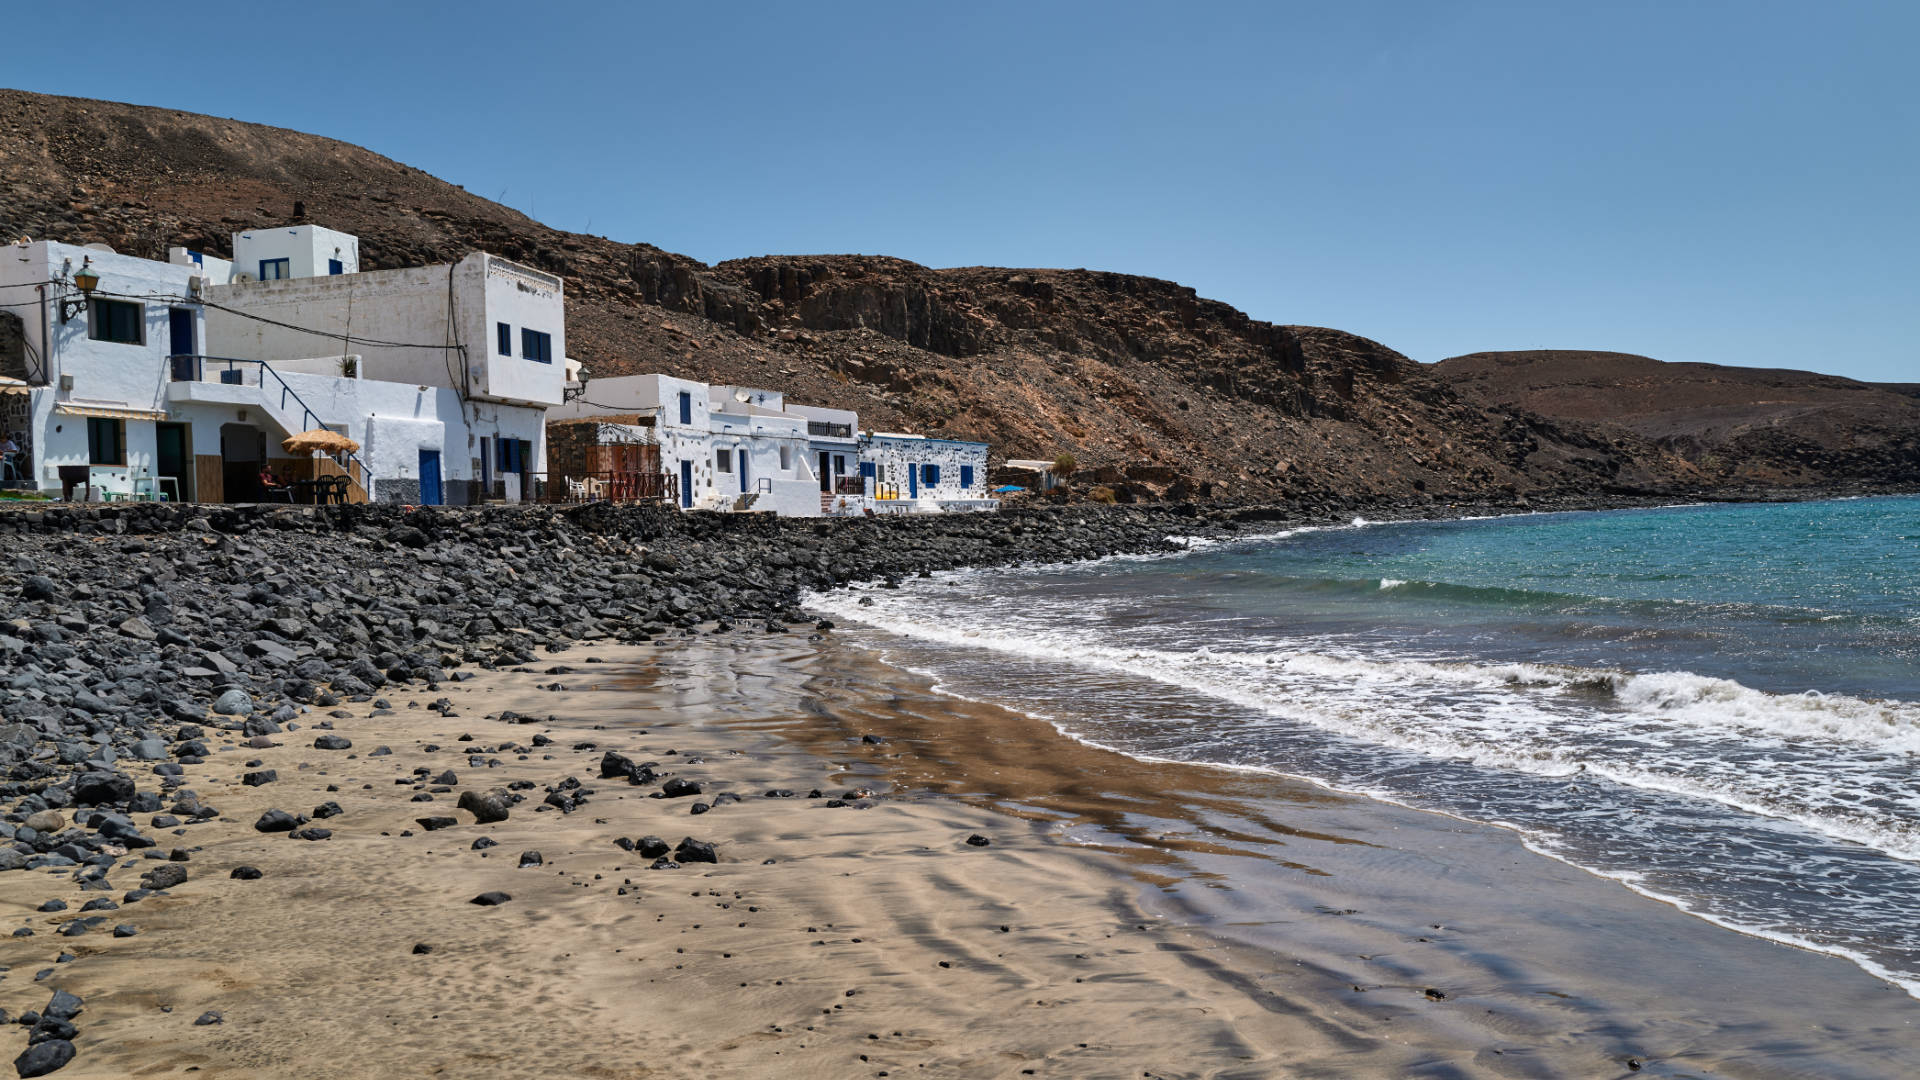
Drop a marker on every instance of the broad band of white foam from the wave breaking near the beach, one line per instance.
(1650, 731)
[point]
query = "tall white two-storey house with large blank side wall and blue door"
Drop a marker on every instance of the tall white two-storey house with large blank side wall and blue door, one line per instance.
(481, 345)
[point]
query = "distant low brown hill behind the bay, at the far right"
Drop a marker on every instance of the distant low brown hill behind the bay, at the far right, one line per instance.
(1739, 426)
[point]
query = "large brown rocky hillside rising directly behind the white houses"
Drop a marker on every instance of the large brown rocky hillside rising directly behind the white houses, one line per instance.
(1149, 385)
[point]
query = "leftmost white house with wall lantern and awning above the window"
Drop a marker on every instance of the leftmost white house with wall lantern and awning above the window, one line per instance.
(95, 364)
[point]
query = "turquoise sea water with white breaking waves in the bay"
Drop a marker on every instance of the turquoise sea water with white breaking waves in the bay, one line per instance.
(1714, 704)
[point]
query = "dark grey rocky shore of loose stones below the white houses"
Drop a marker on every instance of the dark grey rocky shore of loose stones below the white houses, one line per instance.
(143, 641)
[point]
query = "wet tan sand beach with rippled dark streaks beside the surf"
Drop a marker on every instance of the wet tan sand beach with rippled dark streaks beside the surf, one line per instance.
(1126, 920)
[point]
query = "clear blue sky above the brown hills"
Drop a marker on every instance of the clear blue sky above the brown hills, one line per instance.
(1716, 182)
